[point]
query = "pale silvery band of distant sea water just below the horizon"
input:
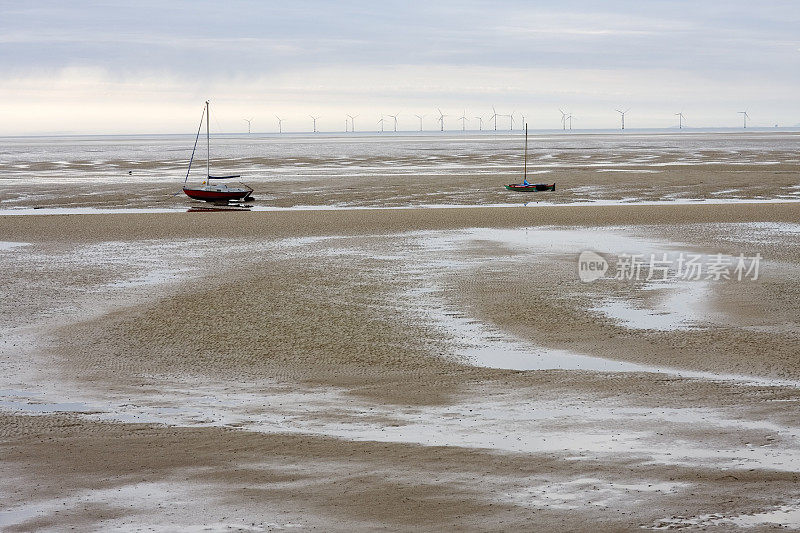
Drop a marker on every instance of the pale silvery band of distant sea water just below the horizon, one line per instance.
(18, 154)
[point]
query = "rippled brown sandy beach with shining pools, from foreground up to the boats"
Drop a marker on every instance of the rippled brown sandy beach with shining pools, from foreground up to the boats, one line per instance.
(379, 365)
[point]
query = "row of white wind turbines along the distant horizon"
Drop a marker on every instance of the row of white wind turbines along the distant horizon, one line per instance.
(566, 120)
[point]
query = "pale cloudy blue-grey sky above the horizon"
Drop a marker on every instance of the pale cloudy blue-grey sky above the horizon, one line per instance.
(147, 67)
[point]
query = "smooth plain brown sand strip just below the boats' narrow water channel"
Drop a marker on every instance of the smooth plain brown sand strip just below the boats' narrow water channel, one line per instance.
(75, 228)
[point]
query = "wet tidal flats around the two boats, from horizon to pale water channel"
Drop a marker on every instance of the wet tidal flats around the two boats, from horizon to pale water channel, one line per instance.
(396, 171)
